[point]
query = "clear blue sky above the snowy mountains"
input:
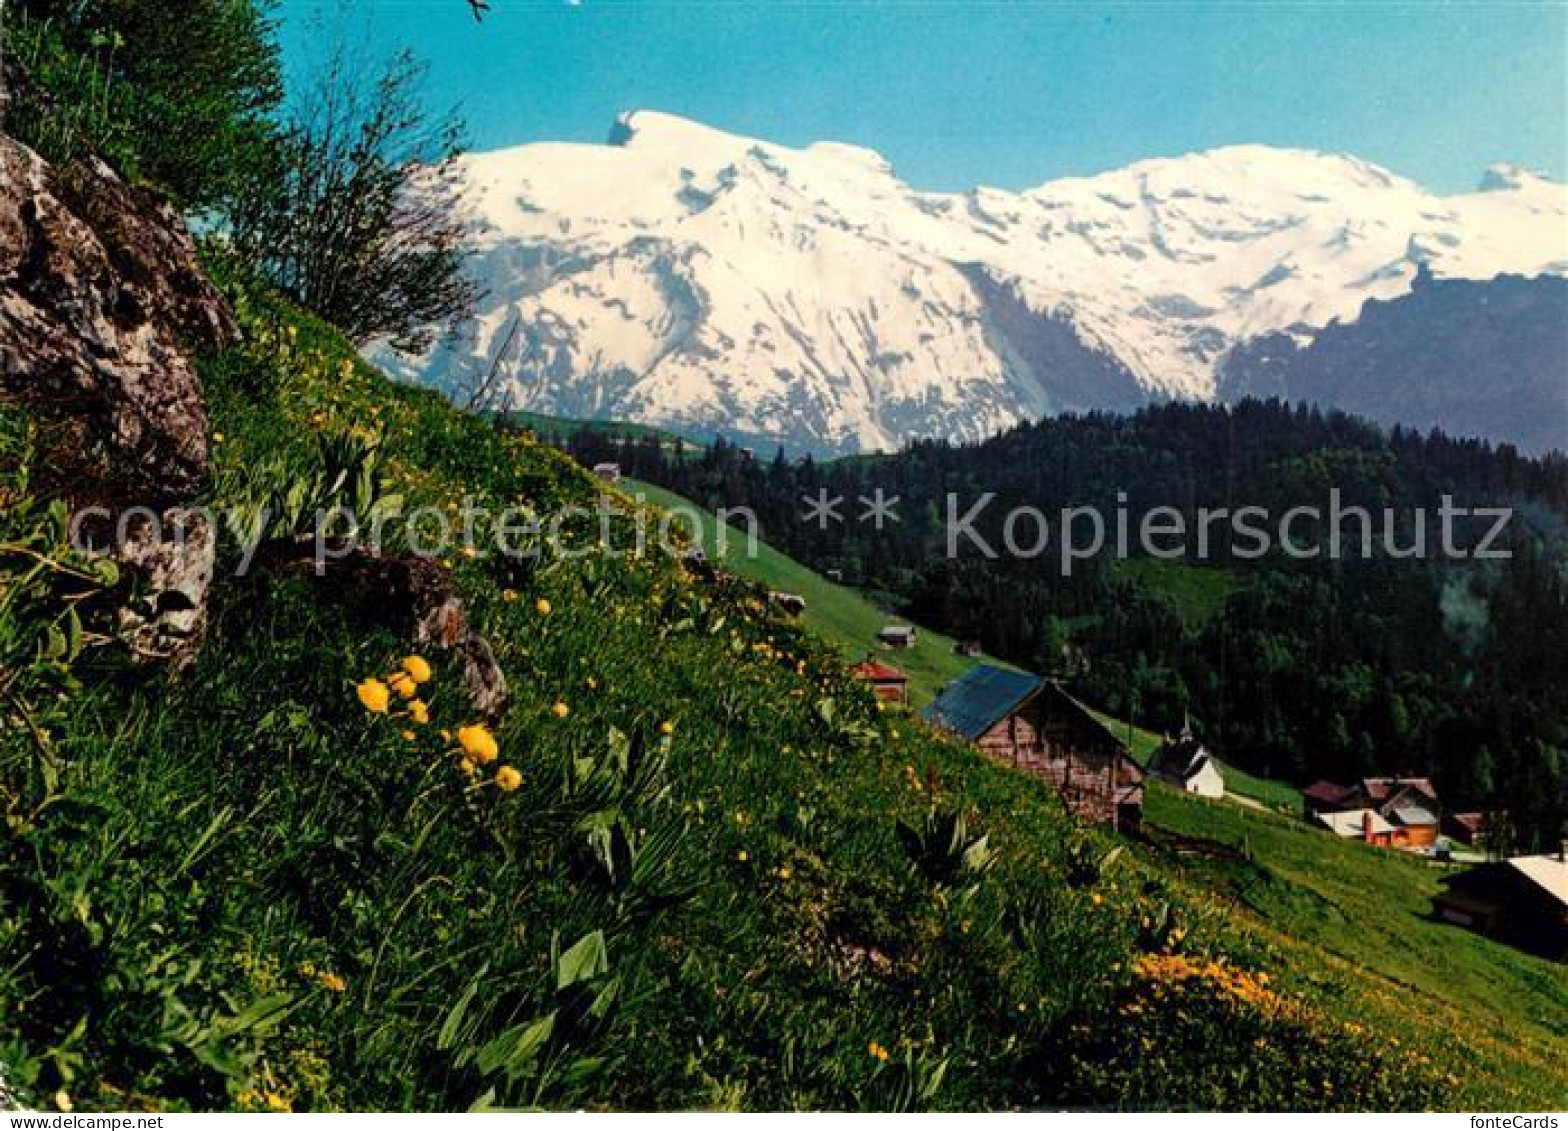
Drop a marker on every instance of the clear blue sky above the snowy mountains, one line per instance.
(1006, 93)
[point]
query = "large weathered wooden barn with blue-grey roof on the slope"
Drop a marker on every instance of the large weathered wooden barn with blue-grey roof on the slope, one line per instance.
(1036, 727)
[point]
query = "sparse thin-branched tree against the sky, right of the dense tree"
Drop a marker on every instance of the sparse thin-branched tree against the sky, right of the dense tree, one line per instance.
(361, 219)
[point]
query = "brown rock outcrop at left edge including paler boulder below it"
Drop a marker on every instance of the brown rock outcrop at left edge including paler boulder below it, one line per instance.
(103, 307)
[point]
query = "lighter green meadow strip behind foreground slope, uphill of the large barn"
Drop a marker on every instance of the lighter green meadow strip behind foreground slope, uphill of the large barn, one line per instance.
(837, 613)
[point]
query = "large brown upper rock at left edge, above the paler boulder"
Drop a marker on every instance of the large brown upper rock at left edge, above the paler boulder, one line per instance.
(101, 302)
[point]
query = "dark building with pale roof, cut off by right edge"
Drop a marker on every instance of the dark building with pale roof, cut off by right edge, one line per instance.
(1522, 903)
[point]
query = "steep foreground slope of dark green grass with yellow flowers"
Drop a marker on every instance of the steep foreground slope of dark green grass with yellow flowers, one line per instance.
(720, 878)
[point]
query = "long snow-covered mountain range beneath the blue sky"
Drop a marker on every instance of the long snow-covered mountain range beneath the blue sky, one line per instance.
(692, 278)
